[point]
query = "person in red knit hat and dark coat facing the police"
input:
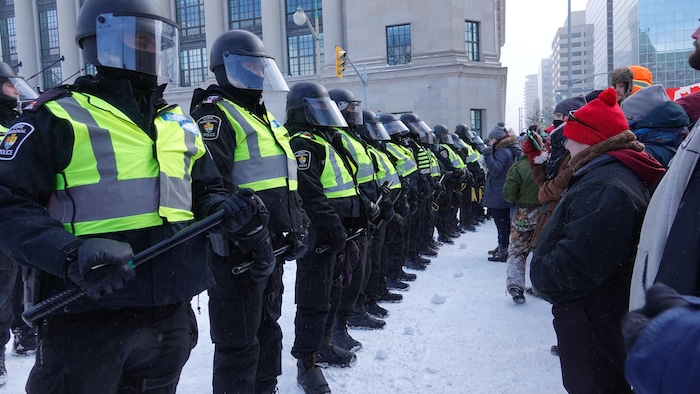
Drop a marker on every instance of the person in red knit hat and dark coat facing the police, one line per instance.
(582, 263)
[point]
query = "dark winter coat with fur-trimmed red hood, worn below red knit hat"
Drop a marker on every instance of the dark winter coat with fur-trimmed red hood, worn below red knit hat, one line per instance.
(588, 245)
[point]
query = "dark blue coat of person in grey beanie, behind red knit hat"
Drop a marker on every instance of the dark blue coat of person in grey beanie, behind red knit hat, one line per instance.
(662, 130)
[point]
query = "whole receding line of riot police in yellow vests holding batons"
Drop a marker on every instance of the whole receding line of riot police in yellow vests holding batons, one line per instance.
(352, 197)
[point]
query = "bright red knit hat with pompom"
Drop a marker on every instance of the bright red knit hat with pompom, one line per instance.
(596, 121)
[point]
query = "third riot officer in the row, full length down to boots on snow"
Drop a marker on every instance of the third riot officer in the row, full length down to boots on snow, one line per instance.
(332, 201)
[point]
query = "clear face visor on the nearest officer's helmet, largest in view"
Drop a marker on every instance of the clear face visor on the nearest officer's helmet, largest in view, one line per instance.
(138, 44)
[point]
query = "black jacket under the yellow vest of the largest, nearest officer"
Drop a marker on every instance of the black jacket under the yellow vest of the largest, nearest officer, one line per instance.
(34, 239)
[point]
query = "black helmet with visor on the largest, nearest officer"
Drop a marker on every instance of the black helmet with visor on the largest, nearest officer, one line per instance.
(132, 35)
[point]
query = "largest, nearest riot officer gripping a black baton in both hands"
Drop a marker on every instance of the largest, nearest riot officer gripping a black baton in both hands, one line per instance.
(106, 157)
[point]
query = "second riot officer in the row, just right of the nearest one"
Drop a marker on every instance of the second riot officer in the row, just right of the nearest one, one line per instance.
(251, 149)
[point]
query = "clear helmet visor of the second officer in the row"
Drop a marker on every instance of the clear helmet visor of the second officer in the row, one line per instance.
(254, 73)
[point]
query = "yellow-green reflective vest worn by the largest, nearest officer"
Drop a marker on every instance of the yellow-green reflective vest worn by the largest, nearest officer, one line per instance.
(126, 188)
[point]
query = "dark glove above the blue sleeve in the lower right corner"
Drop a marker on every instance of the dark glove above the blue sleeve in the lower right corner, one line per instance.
(660, 298)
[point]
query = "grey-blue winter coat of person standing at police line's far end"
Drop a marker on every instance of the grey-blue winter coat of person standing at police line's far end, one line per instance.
(497, 161)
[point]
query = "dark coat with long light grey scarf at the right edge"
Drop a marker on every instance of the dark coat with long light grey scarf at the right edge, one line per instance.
(663, 246)
